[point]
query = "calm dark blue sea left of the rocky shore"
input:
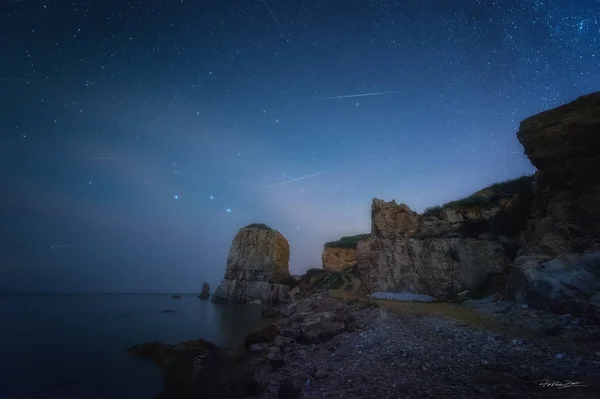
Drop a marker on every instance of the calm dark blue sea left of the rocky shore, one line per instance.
(74, 346)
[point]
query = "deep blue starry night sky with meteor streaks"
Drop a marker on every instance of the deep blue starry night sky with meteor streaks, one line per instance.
(136, 138)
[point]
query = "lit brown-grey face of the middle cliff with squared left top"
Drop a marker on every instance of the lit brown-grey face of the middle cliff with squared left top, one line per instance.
(433, 254)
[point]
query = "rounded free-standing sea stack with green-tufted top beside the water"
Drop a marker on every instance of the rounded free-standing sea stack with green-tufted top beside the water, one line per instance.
(257, 267)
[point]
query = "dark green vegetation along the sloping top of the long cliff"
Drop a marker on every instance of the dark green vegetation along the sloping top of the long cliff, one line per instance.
(489, 194)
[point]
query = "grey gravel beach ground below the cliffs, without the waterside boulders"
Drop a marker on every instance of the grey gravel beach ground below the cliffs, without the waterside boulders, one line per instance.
(395, 356)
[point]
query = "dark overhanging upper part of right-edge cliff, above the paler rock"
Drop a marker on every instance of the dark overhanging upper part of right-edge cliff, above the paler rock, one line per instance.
(564, 145)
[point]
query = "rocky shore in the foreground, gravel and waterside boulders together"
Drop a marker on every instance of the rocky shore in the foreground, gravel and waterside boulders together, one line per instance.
(325, 347)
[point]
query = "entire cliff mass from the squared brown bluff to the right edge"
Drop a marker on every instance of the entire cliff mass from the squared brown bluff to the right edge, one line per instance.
(540, 233)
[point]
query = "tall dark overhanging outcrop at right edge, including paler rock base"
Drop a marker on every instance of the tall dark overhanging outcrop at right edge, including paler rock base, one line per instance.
(559, 266)
